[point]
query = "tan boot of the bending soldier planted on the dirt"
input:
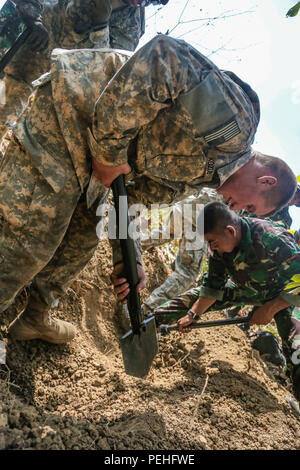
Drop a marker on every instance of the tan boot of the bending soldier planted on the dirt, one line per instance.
(41, 326)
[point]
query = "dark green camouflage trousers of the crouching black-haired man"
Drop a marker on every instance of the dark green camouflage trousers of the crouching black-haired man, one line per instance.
(288, 325)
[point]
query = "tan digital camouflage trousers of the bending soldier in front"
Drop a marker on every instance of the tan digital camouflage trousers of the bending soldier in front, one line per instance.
(46, 237)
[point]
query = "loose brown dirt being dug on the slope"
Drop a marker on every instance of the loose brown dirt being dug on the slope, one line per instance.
(206, 390)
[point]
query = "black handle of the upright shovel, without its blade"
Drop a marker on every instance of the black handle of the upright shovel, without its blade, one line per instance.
(128, 253)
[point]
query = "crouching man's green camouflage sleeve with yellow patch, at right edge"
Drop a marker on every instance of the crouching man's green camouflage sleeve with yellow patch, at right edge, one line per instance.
(286, 254)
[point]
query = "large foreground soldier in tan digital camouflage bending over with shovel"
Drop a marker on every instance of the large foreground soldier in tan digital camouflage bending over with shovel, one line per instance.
(143, 117)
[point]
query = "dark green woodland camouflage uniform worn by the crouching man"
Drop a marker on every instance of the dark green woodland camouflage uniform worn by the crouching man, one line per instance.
(265, 265)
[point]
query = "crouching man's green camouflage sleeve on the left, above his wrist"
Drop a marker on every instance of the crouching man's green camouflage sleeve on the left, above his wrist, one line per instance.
(215, 279)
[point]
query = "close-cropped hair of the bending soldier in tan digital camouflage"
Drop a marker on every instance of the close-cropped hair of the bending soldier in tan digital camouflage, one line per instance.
(281, 194)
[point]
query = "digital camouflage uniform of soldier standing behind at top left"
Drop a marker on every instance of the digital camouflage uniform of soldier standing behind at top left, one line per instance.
(70, 27)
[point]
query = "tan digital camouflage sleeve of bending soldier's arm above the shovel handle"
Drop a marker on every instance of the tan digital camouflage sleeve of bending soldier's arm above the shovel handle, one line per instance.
(151, 80)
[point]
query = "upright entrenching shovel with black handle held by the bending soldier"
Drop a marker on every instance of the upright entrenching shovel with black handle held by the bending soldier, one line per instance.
(139, 345)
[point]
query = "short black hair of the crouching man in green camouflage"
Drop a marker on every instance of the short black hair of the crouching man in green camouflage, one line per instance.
(217, 216)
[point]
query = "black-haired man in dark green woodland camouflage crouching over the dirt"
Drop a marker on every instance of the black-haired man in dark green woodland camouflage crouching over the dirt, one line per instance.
(263, 261)
